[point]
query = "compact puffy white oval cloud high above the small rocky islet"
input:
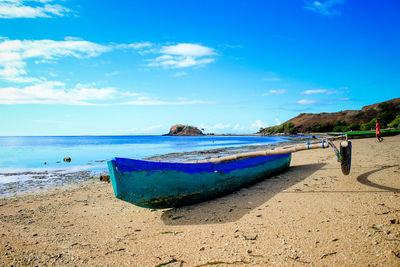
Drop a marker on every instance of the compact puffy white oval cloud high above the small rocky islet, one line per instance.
(182, 56)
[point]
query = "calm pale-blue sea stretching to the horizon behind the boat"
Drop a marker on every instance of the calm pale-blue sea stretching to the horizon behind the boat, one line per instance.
(22, 159)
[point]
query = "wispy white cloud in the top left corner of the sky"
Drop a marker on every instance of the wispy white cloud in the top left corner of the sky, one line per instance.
(31, 9)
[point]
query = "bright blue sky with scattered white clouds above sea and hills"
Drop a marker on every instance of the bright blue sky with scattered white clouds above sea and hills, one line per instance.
(71, 67)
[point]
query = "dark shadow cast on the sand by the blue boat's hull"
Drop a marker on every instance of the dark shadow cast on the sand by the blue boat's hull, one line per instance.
(234, 206)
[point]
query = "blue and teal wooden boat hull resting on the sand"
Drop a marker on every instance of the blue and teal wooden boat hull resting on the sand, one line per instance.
(159, 185)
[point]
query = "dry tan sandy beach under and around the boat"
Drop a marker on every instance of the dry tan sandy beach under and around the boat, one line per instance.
(310, 215)
